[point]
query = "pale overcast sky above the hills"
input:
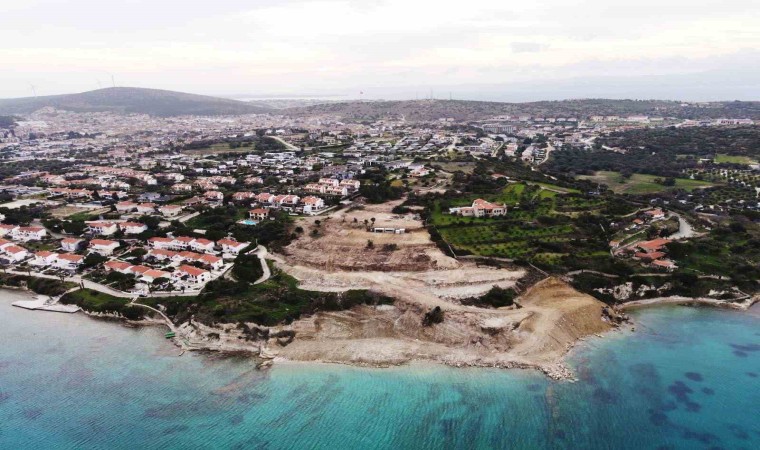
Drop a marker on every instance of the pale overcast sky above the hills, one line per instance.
(476, 49)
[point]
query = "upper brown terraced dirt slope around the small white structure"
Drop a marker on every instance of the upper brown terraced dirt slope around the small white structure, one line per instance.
(342, 242)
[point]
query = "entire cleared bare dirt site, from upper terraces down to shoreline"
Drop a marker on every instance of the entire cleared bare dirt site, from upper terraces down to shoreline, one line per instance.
(552, 317)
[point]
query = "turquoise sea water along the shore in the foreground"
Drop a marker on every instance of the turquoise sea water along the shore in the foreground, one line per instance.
(688, 378)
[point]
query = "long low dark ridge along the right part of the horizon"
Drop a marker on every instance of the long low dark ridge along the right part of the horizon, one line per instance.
(417, 110)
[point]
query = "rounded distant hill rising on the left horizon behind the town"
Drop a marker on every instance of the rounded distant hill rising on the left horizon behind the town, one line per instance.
(133, 100)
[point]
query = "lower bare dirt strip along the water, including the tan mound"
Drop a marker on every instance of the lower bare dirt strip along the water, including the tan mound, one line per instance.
(552, 319)
